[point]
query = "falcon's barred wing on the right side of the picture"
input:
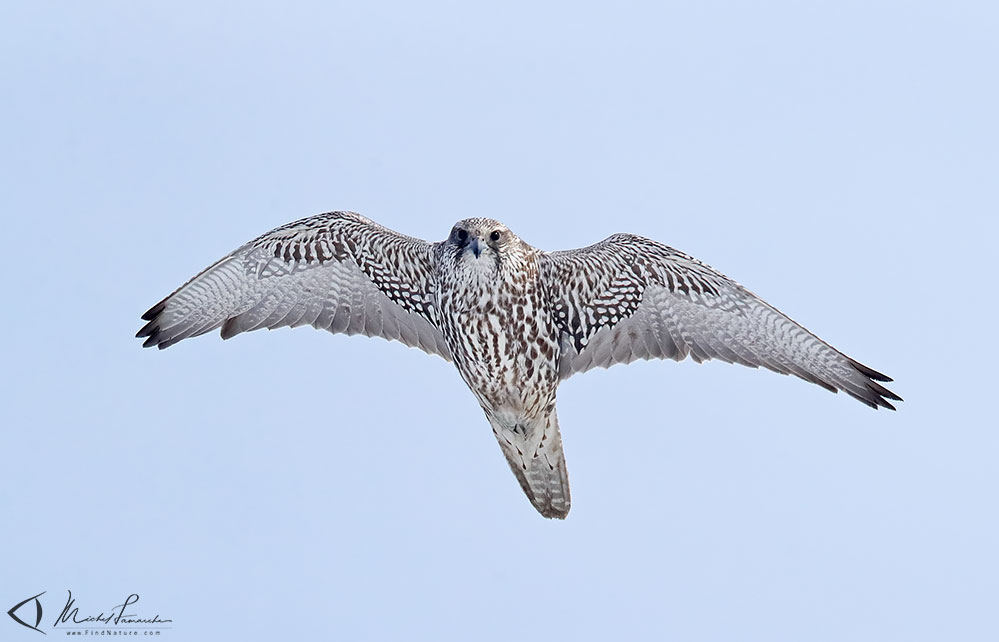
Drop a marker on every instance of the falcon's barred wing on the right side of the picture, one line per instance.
(629, 298)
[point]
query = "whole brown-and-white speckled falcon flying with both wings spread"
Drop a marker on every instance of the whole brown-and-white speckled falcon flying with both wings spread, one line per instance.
(516, 321)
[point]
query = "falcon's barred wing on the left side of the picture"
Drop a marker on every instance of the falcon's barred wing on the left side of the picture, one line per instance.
(337, 271)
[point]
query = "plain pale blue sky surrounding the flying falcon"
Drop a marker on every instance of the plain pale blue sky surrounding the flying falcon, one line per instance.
(838, 158)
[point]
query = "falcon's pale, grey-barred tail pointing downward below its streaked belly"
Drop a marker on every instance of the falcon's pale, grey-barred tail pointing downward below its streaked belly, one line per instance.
(534, 452)
